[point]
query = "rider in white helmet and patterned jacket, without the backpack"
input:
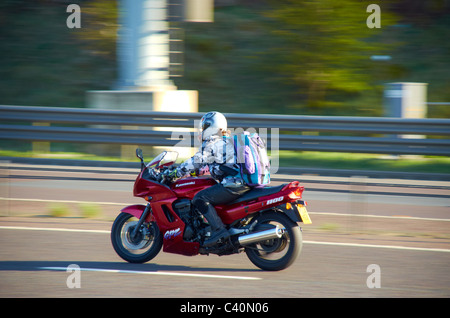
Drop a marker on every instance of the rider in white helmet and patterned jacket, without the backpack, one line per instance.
(217, 153)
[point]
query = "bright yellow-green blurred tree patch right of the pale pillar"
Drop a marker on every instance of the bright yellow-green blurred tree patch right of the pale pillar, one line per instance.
(327, 47)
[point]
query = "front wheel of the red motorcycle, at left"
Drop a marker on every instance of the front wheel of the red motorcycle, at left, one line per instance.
(140, 248)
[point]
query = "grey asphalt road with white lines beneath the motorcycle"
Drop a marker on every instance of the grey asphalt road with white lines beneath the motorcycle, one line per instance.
(401, 228)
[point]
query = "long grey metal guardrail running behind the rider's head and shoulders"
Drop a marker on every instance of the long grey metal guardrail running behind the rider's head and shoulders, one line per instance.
(332, 133)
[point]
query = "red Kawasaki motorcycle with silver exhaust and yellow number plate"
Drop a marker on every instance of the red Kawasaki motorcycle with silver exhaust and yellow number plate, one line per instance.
(262, 222)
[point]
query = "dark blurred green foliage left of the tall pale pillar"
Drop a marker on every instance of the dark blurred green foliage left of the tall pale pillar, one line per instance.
(44, 63)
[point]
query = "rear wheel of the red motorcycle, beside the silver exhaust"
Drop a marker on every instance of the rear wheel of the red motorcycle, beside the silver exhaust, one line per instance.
(280, 253)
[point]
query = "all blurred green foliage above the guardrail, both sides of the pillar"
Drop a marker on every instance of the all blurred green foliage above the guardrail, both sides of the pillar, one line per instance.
(273, 56)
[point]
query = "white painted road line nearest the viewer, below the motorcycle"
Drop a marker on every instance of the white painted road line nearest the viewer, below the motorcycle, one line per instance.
(163, 273)
